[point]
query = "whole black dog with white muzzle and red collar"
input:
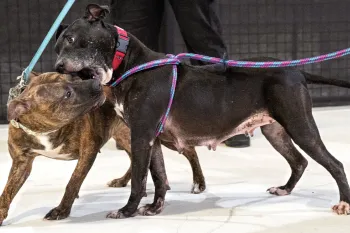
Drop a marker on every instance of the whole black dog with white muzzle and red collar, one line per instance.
(208, 108)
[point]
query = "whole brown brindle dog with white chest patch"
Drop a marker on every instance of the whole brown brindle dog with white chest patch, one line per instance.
(65, 118)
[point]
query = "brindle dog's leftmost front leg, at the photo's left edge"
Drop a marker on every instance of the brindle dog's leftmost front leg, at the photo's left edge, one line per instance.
(20, 171)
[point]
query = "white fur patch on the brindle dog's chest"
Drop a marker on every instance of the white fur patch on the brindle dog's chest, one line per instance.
(50, 151)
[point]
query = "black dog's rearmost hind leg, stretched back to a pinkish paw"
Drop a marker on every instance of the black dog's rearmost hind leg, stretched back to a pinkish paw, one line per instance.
(292, 108)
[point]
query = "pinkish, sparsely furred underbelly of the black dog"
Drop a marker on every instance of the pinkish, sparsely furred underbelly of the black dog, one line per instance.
(181, 137)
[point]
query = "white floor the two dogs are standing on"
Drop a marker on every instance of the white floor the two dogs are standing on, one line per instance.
(235, 199)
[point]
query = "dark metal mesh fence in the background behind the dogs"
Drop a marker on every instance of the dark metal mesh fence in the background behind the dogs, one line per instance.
(287, 29)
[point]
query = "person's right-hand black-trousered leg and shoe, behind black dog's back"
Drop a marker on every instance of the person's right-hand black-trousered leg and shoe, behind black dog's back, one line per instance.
(202, 33)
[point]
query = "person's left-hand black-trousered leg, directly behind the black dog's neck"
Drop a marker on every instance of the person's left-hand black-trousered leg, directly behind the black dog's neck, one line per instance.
(142, 18)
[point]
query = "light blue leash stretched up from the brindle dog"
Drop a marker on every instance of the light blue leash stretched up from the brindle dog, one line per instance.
(47, 39)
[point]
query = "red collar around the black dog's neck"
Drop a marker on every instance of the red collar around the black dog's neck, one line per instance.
(122, 46)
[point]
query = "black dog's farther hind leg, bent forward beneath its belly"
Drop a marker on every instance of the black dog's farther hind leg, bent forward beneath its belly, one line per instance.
(282, 142)
